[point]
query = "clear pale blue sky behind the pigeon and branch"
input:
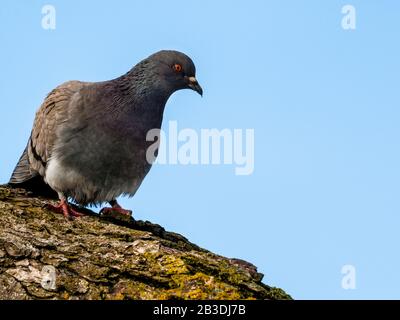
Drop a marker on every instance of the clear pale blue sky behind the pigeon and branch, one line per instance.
(324, 104)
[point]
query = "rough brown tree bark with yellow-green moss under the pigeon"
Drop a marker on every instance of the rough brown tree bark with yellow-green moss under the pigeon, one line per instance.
(44, 256)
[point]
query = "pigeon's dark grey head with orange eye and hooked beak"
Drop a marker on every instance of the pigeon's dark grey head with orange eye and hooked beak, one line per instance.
(176, 69)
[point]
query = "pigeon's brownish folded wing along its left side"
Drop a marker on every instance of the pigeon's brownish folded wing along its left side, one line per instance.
(50, 115)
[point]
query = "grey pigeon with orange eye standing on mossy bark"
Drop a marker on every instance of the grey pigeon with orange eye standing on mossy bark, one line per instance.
(88, 142)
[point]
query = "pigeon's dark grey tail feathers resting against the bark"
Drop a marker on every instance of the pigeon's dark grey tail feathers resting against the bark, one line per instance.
(23, 177)
